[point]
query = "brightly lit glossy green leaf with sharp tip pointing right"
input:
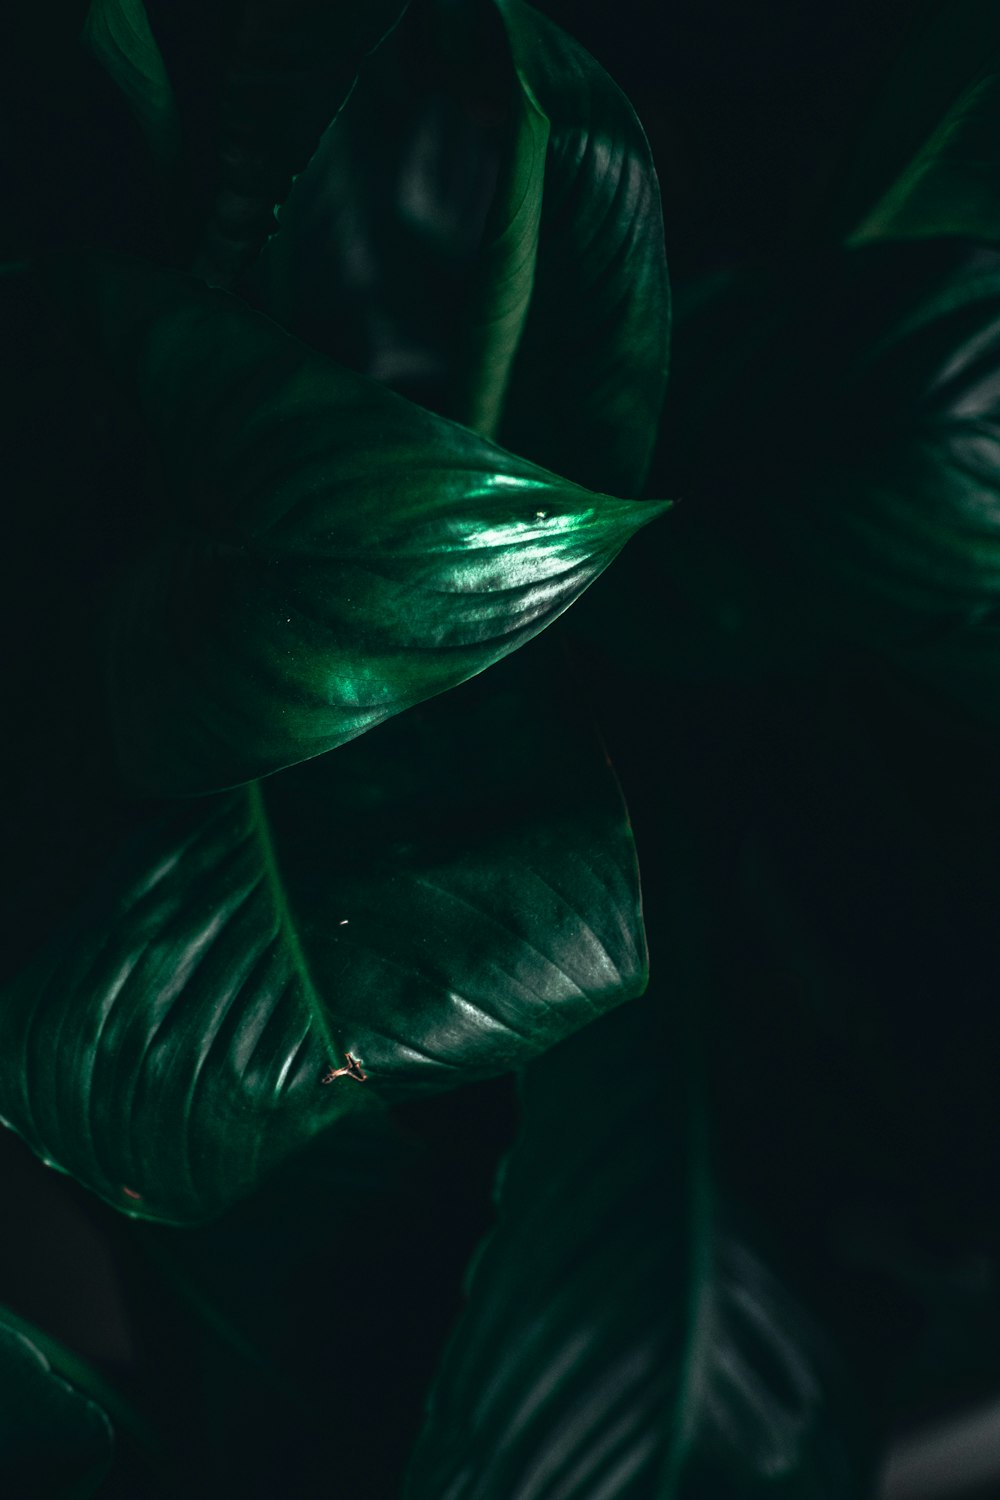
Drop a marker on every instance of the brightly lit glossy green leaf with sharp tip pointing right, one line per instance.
(328, 553)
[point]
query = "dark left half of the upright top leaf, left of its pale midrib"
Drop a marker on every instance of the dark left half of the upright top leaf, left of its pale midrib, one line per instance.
(377, 259)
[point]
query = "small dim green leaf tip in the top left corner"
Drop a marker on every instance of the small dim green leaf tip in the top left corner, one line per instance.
(118, 34)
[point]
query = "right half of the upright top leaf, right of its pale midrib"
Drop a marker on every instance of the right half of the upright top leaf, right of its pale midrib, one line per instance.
(590, 373)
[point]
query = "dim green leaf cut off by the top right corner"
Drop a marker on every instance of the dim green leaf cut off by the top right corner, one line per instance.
(929, 160)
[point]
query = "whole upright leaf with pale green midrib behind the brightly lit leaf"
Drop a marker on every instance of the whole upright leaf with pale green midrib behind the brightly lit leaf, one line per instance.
(551, 308)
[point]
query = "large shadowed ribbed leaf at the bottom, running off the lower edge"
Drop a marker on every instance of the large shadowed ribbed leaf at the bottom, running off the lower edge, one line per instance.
(623, 1337)
